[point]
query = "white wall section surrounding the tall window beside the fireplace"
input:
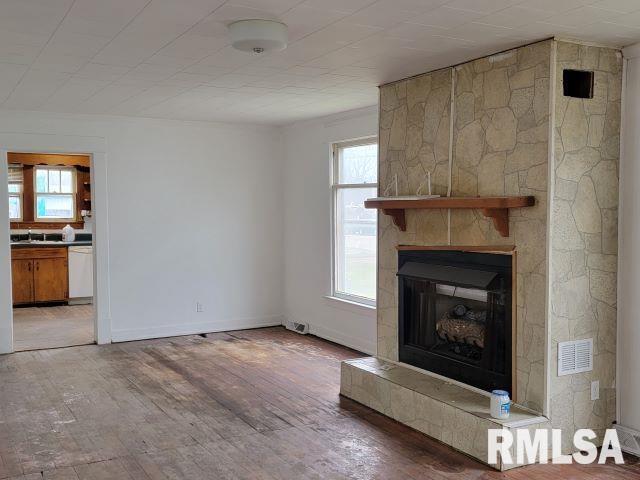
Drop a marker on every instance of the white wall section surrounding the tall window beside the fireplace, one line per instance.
(308, 226)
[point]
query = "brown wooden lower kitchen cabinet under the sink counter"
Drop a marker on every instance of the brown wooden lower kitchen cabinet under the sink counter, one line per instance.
(40, 275)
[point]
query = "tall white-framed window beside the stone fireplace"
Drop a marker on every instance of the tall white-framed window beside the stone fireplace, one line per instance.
(355, 178)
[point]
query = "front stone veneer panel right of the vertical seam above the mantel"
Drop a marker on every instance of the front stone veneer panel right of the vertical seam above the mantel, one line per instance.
(501, 148)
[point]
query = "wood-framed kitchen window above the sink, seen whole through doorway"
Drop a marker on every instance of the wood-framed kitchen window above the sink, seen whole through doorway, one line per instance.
(55, 194)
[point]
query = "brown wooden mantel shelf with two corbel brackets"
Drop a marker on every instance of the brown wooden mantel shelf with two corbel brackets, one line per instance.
(496, 208)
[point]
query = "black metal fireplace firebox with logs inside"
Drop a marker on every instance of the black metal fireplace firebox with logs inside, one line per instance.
(455, 315)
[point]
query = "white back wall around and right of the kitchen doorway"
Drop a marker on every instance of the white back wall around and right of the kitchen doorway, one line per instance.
(195, 214)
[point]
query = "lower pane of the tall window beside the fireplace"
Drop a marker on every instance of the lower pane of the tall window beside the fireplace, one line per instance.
(355, 243)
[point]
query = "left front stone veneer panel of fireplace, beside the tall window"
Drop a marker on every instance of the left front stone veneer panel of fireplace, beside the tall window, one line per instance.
(414, 140)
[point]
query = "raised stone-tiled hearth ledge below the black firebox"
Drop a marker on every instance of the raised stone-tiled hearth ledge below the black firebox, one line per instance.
(444, 410)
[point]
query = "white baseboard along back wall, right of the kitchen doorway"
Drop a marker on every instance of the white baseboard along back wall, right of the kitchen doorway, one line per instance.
(128, 335)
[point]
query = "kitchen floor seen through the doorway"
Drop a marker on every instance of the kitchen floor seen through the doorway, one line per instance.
(36, 328)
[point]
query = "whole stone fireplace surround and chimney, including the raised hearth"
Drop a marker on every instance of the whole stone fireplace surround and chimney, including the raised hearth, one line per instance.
(508, 131)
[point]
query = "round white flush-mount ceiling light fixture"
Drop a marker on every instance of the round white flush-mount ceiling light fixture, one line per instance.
(258, 36)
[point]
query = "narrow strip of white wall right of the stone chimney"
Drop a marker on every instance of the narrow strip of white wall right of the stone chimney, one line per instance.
(629, 254)
